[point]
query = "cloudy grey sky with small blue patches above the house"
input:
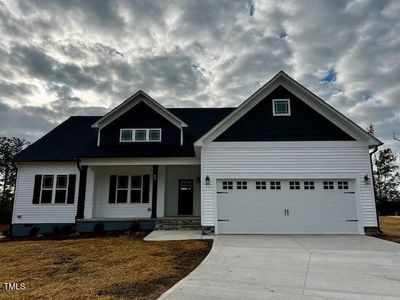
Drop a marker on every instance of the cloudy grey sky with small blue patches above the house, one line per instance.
(63, 58)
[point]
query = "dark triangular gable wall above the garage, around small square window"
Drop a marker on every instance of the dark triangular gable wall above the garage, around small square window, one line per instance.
(303, 124)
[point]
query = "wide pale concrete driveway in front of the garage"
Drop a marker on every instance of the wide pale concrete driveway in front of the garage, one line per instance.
(295, 267)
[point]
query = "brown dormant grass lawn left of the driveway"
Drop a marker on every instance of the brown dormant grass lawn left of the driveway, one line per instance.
(106, 268)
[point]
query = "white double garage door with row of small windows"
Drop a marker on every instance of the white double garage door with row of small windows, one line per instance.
(286, 206)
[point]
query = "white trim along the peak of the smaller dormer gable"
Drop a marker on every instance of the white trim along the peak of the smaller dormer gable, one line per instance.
(132, 101)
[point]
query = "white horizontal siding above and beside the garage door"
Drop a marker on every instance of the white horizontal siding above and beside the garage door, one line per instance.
(307, 160)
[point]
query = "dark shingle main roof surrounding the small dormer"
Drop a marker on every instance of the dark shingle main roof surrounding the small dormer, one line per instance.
(76, 138)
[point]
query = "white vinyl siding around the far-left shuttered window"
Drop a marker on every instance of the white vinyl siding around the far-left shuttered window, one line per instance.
(42, 213)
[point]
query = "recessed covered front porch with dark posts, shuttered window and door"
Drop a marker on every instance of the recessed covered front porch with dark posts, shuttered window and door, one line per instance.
(125, 193)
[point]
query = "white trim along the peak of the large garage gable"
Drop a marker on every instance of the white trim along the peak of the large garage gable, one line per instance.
(301, 92)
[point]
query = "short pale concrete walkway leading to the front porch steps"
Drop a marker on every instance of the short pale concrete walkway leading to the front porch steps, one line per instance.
(176, 235)
